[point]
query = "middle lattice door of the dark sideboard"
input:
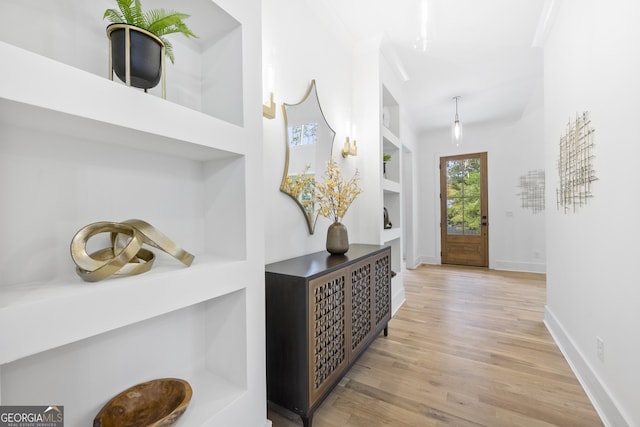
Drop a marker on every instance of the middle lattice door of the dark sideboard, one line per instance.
(361, 304)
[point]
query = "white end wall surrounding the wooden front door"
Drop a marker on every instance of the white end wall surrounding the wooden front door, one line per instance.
(516, 235)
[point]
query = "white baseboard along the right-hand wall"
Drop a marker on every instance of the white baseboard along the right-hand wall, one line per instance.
(595, 389)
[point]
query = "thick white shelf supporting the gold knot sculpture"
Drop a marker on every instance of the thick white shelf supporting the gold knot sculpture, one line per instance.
(61, 306)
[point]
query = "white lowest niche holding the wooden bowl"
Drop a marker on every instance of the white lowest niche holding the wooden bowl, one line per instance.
(202, 343)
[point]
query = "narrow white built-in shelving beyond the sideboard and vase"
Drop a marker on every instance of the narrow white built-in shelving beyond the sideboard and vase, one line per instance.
(378, 112)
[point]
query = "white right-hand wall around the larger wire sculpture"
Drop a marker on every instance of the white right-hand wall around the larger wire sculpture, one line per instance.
(591, 64)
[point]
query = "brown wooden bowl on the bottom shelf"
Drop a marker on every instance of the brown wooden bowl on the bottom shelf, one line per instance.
(156, 403)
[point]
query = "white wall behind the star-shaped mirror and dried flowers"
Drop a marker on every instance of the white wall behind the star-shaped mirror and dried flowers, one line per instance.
(300, 46)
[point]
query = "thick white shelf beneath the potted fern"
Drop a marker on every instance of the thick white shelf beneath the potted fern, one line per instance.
(69, 107)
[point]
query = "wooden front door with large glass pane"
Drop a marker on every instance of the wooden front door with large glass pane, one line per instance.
(463, 199)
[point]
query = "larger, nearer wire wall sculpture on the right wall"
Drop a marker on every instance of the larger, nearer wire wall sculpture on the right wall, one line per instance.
(575, 163)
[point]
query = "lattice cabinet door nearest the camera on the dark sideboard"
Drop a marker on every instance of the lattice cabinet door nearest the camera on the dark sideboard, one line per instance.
(328, 311)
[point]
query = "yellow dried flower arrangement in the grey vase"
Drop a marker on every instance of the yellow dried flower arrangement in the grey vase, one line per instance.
(334, 195)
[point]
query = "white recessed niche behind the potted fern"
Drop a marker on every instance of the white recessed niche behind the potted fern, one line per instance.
(206, 76)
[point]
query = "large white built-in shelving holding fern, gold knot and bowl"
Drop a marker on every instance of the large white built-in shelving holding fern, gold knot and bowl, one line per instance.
(77, 148)
